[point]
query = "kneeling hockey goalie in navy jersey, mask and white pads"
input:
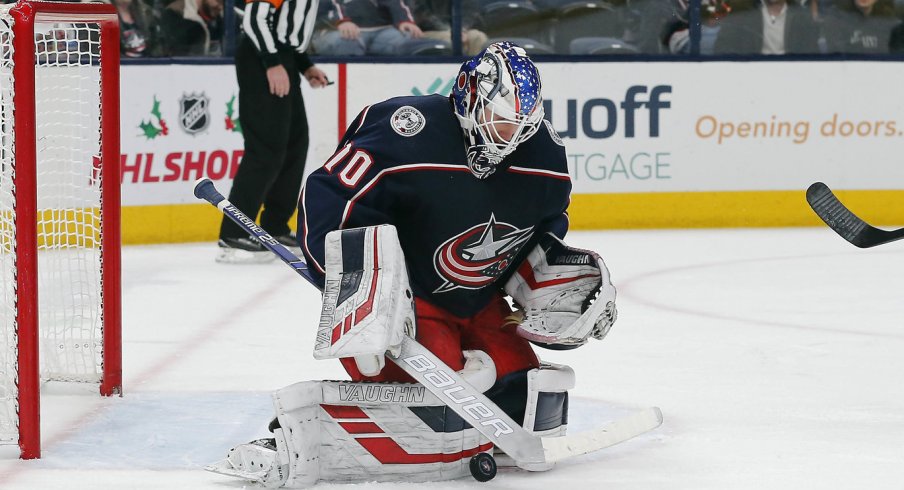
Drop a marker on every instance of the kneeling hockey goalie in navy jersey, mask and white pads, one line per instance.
(431, 213)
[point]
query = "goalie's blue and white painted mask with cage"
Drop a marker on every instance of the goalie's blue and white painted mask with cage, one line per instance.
(498, 104)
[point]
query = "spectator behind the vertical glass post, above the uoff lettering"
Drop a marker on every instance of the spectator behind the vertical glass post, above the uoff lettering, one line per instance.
(676, 34)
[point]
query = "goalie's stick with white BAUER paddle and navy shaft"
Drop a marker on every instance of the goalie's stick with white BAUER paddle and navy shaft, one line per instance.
(527, 450)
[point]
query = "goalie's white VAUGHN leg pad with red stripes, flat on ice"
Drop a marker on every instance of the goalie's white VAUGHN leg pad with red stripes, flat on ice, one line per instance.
(355, 432)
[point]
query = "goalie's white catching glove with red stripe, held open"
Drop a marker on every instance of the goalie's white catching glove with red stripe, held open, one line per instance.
(564, 295)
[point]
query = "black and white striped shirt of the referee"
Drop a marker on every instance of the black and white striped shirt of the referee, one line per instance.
(269, 23)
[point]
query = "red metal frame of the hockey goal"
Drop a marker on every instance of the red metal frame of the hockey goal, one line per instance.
(26, 15)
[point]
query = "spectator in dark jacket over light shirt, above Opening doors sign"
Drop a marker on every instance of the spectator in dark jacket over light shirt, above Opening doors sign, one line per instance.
(768, 27)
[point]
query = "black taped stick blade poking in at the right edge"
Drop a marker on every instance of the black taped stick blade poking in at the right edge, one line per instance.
(844, 222)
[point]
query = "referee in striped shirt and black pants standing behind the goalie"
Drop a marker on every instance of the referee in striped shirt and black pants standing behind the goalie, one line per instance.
(268, 62)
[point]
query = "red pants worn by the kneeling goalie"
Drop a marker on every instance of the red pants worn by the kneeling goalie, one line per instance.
(447, 335)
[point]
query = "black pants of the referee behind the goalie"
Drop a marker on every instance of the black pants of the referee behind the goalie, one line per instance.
(276, 145)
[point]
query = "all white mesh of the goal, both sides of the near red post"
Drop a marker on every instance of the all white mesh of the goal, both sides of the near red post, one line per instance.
(67, 94)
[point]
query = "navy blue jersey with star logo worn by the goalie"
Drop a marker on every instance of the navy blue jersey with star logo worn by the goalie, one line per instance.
(403, 162)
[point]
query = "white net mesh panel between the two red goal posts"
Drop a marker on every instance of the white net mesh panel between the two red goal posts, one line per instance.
(67, 91)
